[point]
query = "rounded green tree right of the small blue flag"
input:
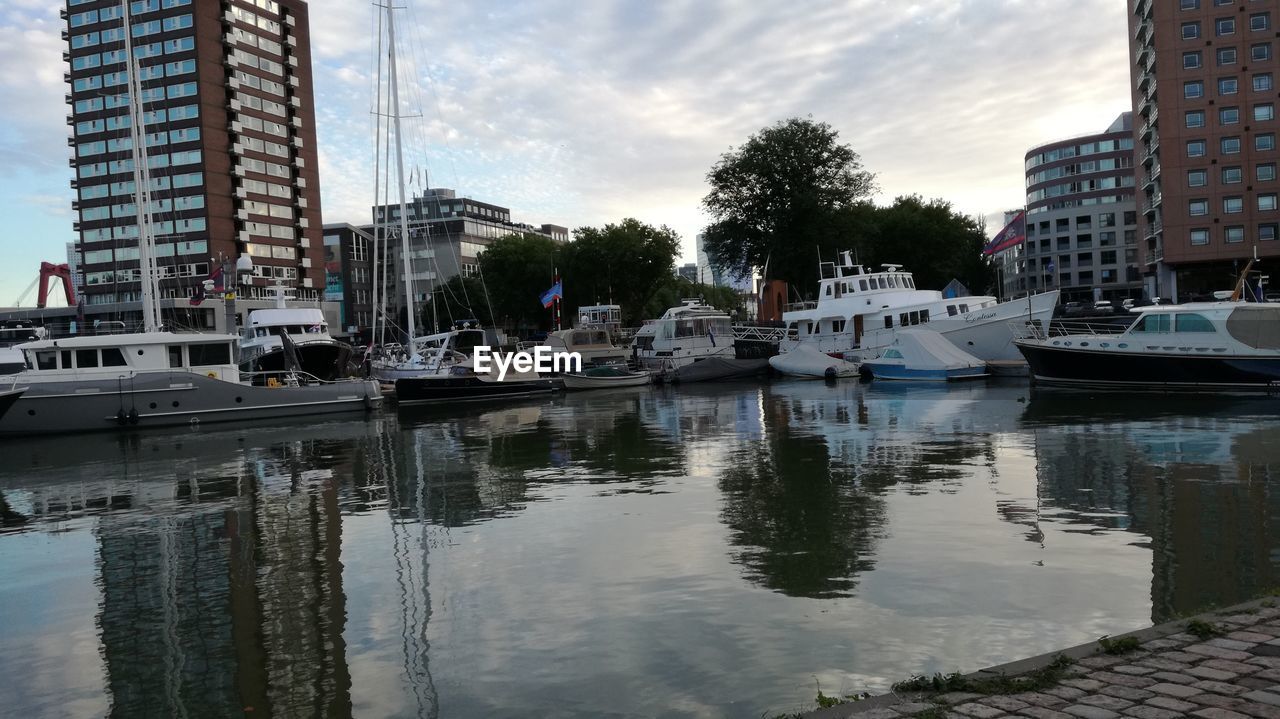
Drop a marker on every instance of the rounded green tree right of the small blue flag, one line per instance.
(624, 264)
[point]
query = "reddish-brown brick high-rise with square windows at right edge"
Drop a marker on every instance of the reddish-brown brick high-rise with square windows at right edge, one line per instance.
(1205, 95)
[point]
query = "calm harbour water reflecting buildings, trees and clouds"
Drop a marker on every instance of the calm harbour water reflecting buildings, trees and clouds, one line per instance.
(716, 551)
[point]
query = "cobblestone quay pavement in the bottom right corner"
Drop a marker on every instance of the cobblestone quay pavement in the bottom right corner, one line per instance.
(1173, 674)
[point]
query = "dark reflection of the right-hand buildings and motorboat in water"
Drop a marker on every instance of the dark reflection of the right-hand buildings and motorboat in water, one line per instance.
(1196, 480)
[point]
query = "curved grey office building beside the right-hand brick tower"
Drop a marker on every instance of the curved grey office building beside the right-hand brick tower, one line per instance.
(1082, 228)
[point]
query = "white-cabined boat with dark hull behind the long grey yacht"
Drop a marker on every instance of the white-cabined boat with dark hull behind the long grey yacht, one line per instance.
(314, 351)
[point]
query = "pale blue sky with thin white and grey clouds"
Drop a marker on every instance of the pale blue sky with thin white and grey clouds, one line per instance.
(587, 113)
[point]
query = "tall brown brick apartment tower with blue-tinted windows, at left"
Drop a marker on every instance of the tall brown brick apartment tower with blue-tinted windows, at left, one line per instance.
(230, 134)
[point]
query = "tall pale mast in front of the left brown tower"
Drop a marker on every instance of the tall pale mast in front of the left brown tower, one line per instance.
(141, 184)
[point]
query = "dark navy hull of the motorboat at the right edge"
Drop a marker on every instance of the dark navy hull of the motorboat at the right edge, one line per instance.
(1117, 370)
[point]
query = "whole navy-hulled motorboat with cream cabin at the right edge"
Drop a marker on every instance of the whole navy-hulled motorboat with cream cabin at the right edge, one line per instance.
(1219, 346)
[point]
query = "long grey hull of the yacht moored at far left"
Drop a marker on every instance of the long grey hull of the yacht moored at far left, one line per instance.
(159, 400)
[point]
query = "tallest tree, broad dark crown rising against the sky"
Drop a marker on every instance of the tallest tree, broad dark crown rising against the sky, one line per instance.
(780, 198)
